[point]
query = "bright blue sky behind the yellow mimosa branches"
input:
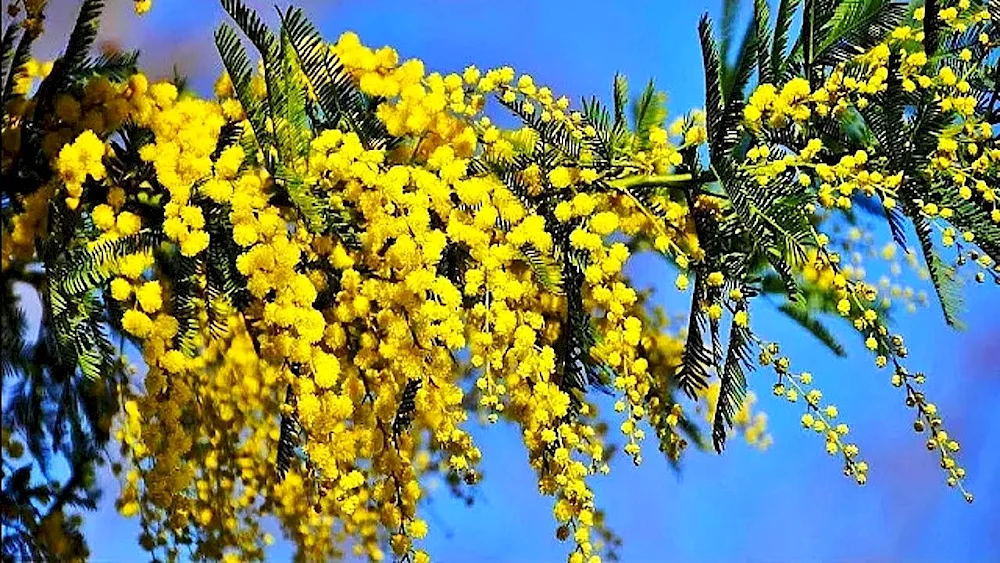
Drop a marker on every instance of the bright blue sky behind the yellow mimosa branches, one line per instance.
(790, 503)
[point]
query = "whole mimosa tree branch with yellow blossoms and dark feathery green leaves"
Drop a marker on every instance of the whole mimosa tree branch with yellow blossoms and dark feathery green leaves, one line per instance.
(334, 261)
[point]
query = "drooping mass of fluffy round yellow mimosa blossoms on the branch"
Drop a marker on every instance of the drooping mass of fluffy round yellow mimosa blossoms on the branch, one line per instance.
(320, 300)
